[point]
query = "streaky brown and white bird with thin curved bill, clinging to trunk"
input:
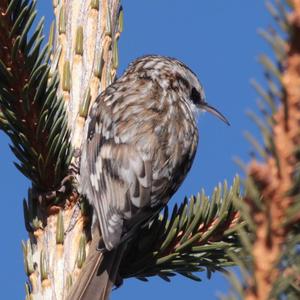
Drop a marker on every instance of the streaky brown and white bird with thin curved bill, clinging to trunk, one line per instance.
(139, 144)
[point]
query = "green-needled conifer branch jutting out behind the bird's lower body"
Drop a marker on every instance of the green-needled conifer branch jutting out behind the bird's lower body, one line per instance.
(198, 236)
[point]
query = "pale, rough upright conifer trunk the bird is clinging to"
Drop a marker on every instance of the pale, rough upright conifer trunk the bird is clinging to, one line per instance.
(85, 53)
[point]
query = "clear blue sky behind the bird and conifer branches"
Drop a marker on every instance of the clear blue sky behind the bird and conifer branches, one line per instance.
(218, 40)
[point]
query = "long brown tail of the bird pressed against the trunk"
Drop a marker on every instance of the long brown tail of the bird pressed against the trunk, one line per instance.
(98, 274)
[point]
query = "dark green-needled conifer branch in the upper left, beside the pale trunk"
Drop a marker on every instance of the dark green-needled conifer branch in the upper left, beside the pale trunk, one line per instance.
(31, 113)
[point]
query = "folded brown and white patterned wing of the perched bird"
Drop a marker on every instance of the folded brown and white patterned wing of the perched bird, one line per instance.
(119, 178)
